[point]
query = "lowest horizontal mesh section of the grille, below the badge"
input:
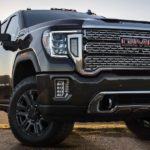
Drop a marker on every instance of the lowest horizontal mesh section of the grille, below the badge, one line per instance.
(92, 63)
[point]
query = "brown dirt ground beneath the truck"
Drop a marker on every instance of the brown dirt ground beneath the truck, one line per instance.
(86, 138)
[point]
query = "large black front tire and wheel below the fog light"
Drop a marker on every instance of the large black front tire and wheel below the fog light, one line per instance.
(26, 122)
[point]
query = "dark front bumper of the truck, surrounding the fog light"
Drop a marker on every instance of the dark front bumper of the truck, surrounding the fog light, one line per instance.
(83, 90)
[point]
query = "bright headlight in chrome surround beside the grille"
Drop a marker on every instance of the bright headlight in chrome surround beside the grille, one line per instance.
(56, 42)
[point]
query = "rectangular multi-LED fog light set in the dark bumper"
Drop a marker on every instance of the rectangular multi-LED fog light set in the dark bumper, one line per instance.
(61, 88)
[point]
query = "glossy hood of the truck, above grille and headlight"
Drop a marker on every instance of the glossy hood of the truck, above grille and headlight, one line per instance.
(94, 23)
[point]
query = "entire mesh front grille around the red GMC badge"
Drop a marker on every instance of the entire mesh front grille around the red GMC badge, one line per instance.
(103, 50)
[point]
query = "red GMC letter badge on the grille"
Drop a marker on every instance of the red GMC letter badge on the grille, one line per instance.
(135, 42)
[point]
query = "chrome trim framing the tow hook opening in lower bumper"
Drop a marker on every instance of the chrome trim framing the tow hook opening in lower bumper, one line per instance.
(94, 104)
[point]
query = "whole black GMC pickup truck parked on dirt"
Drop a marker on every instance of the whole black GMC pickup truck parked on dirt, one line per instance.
(60, 66)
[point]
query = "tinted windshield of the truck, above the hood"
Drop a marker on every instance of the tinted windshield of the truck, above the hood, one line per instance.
(34, 17)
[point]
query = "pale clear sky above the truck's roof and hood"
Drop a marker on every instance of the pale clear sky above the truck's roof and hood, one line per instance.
(123, 9)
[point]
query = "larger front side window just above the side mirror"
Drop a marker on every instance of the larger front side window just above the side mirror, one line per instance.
(13, 27)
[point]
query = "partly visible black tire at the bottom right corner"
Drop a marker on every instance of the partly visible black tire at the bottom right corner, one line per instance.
(140, 127)
